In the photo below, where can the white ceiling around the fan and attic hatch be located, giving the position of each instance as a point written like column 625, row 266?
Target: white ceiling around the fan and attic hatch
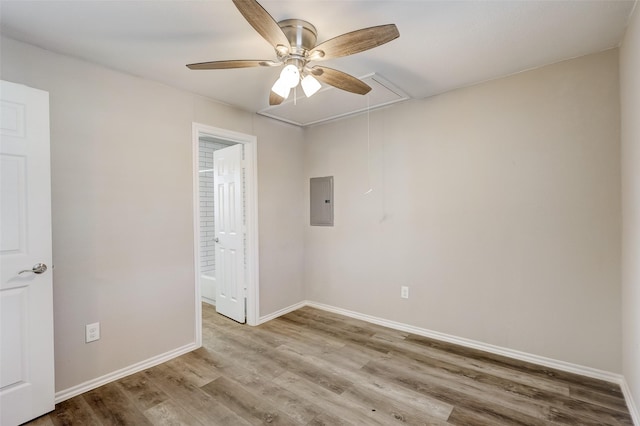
column 443, row 45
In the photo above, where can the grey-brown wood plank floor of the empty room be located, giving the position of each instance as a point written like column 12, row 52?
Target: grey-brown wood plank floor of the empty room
column 311, row 367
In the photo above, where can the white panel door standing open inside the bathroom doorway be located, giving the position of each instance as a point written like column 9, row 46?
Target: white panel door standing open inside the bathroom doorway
column 229, row 224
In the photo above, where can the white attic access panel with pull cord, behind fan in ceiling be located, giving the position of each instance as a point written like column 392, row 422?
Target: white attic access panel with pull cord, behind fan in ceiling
column 330, row 103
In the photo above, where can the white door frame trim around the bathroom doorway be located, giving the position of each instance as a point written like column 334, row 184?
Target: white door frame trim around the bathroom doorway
column 251, row 211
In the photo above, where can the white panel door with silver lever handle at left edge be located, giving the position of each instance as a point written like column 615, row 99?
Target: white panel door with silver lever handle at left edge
column 26, row 297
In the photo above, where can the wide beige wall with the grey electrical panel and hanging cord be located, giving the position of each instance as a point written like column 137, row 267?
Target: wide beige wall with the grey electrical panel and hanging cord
column 498, row 205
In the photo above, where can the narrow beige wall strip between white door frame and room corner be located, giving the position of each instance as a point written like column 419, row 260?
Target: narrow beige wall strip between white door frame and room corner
column 281, row 224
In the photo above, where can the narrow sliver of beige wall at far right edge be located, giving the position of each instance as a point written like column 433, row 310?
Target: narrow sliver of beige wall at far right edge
column 630, row 101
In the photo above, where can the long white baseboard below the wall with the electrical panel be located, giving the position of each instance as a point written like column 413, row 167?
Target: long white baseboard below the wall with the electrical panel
column 498, row 350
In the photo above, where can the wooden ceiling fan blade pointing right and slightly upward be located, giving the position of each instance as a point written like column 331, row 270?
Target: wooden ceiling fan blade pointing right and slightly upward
column 354, row 42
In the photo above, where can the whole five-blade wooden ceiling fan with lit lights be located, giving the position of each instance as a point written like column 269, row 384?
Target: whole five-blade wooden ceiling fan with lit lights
column 294, row 41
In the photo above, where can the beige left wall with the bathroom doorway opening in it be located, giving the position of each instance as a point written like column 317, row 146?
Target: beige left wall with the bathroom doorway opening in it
column 122, row 209
